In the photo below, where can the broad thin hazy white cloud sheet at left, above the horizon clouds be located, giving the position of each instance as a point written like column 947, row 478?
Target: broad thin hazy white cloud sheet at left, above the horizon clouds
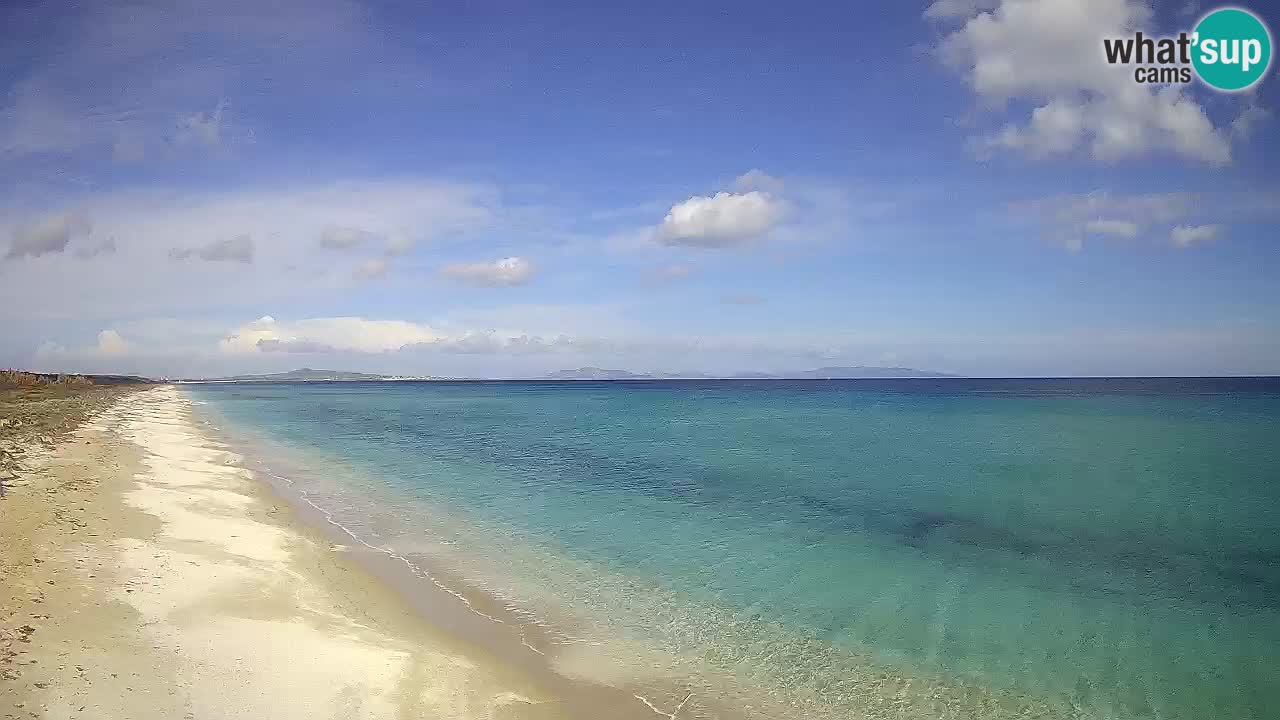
column 284, row 226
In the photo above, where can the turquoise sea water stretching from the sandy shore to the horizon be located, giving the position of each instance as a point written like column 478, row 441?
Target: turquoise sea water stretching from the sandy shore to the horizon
column 852, row 548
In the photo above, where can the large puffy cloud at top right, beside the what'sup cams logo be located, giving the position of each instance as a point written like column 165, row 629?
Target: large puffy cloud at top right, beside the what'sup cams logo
column 1050, row 53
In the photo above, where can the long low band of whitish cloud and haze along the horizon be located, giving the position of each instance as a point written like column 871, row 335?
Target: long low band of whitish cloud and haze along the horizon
column 163, row 348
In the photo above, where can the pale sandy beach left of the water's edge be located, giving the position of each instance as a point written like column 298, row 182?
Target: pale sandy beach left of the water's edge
column 147, row 575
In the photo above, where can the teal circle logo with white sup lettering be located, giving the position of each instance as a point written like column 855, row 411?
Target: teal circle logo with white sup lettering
column 1232, row 49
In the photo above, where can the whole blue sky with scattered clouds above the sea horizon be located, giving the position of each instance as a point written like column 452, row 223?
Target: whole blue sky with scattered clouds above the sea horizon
column 511, row 189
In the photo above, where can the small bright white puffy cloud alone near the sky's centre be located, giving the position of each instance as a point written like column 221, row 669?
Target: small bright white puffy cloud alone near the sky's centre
column 723, row 220
